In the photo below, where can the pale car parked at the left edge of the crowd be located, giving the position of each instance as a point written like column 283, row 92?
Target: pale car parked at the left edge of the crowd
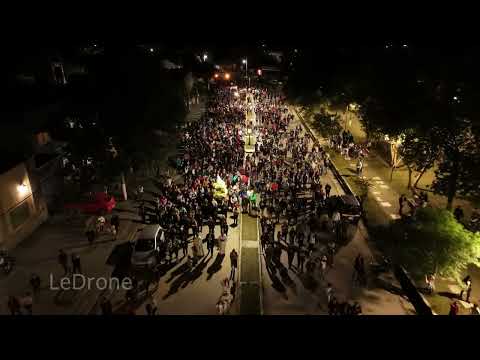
column 146, row 249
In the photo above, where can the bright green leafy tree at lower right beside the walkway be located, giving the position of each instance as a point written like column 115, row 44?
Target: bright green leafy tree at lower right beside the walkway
column 433, row 244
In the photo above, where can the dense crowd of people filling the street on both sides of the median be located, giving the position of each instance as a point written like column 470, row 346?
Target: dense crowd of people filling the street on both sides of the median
column 281, row 182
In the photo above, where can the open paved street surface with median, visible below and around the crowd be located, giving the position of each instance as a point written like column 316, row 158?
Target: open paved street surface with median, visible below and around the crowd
column 180, row 292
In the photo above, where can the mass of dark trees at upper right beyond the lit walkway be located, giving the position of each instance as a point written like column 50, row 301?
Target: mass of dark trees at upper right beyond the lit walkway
column 424, row 99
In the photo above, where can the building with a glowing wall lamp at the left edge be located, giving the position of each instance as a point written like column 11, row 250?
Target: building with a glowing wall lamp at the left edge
column 22, row 206
